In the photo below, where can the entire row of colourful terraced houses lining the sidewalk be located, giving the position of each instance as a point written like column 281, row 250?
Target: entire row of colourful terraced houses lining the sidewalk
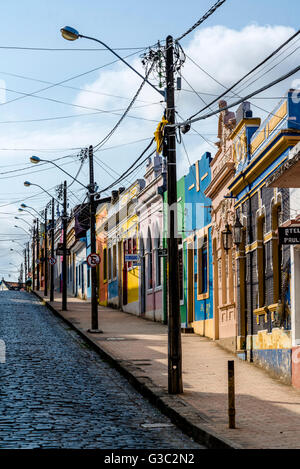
column 238, row 282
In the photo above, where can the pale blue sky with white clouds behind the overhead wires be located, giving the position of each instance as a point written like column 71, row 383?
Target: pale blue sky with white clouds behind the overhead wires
column 227, row 45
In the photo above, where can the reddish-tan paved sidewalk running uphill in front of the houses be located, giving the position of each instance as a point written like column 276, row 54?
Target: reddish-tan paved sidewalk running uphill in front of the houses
column 267, row 412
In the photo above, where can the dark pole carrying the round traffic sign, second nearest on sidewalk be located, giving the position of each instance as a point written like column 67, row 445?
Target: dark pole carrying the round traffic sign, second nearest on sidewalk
column 94, row 300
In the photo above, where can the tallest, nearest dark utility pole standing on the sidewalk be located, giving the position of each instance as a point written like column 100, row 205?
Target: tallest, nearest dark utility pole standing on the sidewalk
column 174, row 322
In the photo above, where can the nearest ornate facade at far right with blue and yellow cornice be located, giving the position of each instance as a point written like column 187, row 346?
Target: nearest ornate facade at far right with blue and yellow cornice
column 264, row 265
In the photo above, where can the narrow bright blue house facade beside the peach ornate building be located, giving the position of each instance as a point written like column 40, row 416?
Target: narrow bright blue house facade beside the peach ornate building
column 197, row 249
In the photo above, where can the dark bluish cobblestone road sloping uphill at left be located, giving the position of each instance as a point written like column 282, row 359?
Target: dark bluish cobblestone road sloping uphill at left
column 55, row 392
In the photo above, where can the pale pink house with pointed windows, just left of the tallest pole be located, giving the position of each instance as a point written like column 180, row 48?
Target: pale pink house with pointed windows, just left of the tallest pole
column 150, row 213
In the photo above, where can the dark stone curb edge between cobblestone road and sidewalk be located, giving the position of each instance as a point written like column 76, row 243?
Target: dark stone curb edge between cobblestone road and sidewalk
column 182, row 414
